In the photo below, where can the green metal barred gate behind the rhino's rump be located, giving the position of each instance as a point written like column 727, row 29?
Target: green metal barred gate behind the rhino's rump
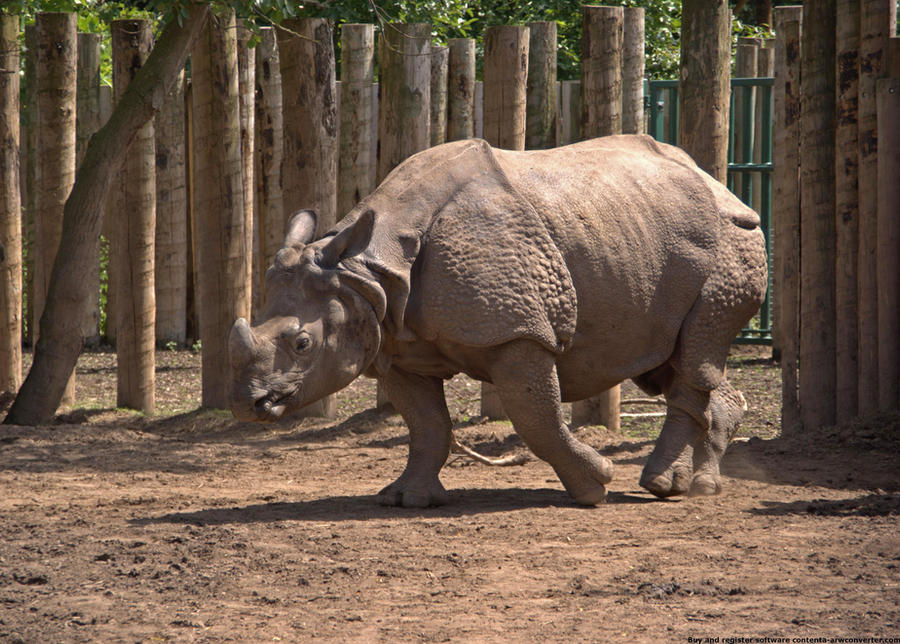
column 749, row 176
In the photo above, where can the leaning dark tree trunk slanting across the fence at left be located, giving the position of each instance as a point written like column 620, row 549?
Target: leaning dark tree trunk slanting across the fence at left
column 57, row 350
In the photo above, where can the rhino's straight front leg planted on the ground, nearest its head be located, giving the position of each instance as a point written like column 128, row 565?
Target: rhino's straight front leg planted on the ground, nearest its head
column 420, row 400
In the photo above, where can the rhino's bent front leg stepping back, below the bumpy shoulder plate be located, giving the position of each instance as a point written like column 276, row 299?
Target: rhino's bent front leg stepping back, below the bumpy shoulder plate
column 524, row 374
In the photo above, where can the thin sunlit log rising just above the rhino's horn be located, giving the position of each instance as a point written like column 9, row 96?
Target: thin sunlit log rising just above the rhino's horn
column 246, row 91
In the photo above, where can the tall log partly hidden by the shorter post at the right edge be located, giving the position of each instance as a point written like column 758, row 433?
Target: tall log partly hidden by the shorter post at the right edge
column 877, row 25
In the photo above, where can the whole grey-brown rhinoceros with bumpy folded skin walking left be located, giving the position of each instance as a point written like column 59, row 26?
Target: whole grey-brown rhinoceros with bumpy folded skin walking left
column 552, row 274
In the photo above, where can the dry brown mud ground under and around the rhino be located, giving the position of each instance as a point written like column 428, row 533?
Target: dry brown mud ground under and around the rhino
column 190, row 526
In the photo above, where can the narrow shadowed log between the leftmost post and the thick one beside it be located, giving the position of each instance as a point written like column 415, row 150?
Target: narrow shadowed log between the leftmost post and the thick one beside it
column 27, row 168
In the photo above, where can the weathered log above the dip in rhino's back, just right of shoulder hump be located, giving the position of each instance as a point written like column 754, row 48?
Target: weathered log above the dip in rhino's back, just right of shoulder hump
column 542, row 102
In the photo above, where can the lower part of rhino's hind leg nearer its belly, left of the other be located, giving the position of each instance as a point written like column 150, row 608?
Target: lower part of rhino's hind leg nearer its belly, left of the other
column 670, row 469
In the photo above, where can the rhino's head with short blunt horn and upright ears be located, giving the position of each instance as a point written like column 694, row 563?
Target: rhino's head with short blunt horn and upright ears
column 315, row 334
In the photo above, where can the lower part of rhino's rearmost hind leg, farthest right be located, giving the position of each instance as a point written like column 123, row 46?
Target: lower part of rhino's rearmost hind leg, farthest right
column 726, row 405
